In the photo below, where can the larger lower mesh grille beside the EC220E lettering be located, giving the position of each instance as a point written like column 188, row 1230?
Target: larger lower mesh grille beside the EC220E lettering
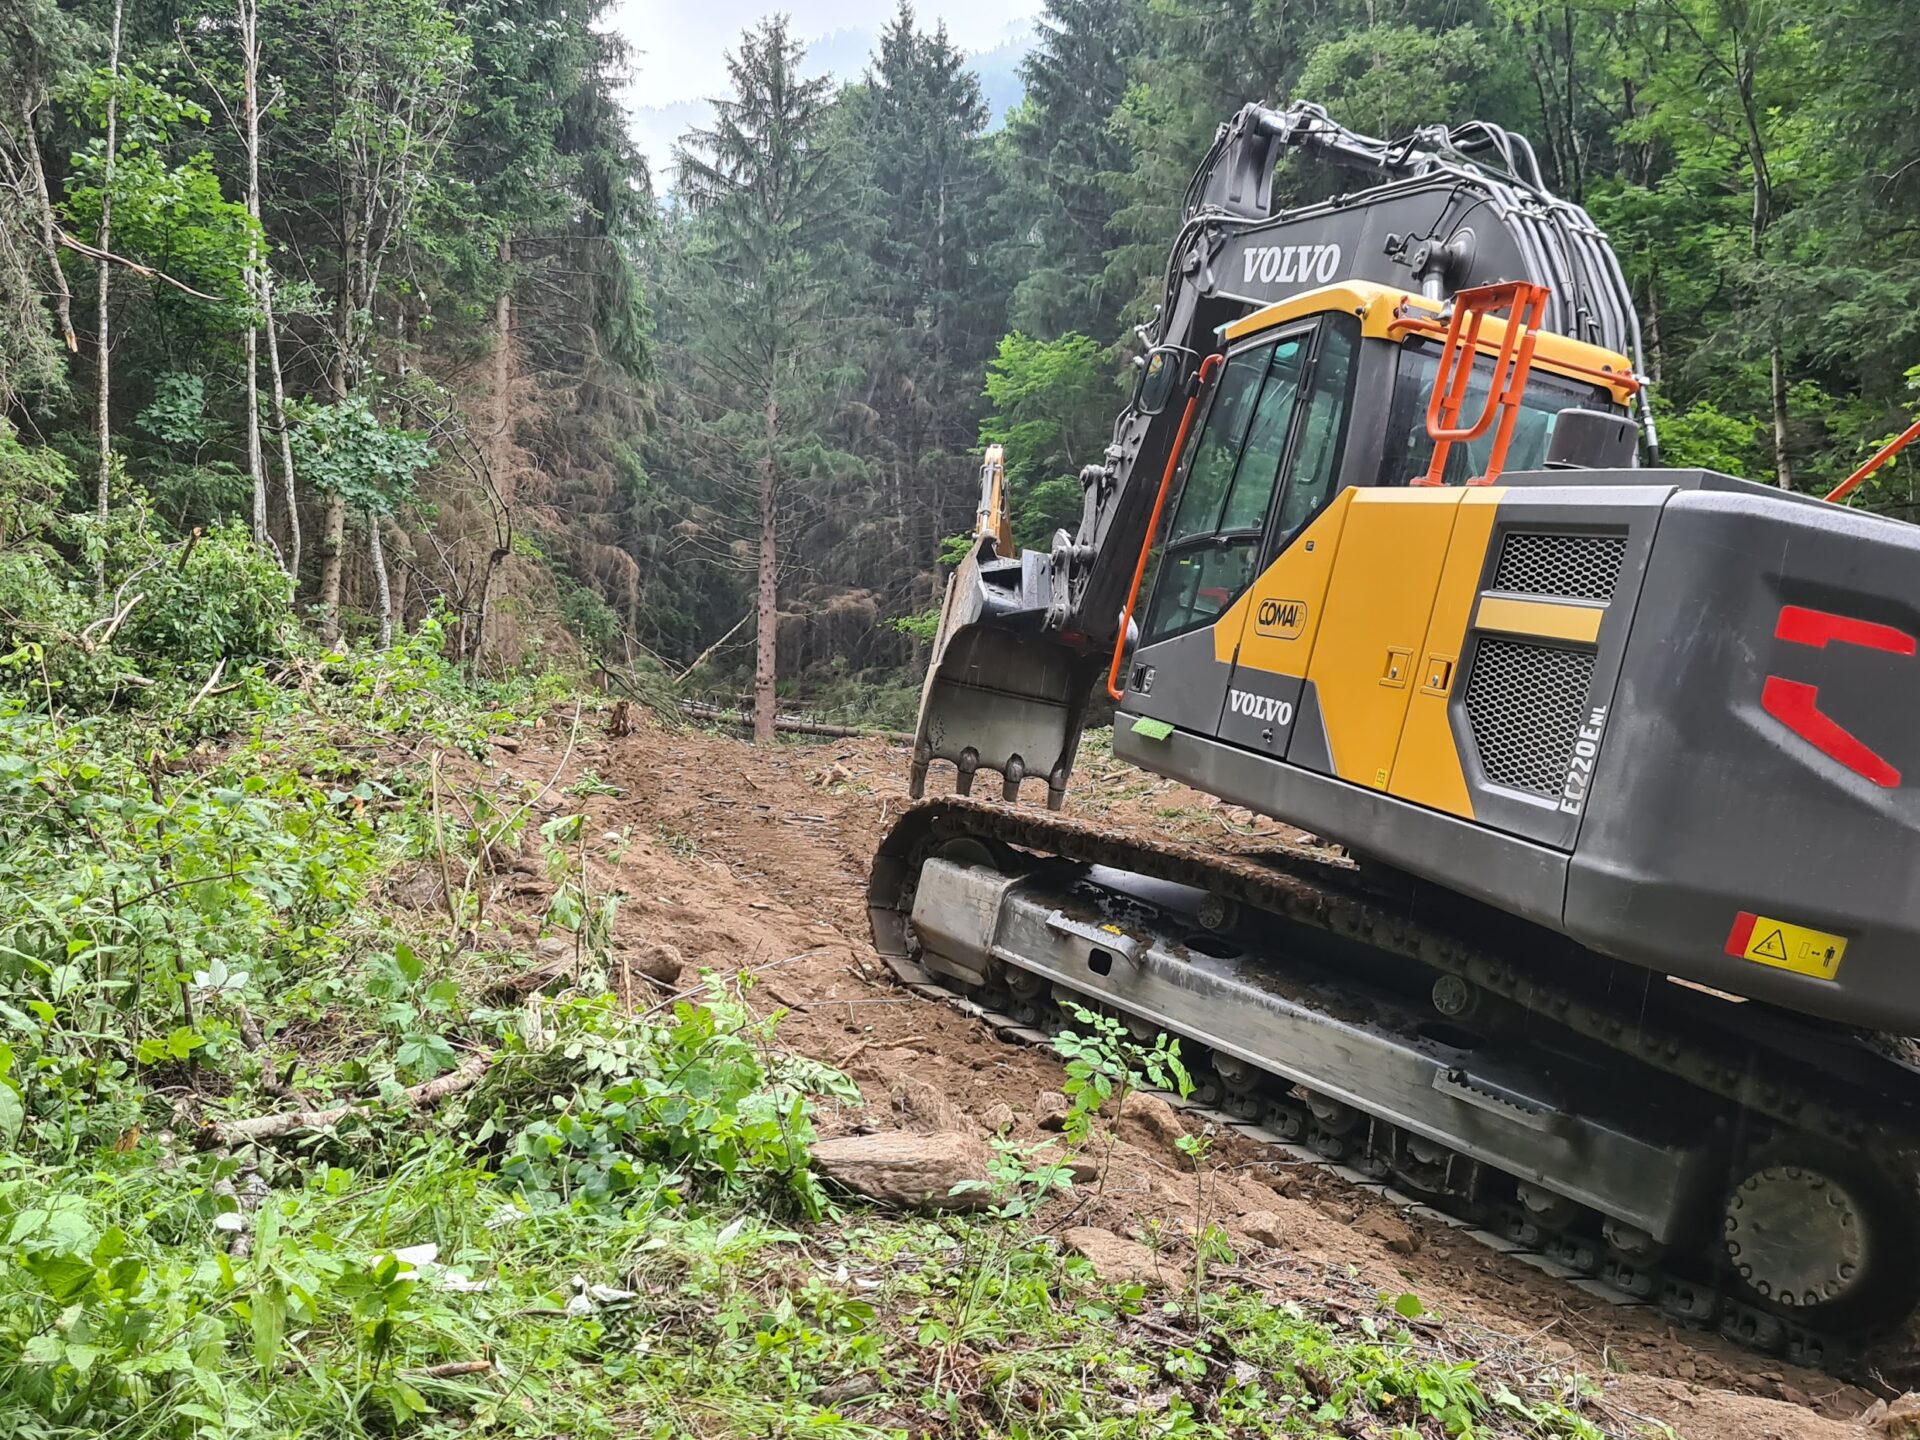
column 1525, row 704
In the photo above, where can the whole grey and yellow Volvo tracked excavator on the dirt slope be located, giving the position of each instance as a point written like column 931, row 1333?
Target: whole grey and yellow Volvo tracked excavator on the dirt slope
column 1614, row 949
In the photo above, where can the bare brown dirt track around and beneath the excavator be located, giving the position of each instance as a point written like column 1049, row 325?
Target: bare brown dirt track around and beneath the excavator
column 756, row 859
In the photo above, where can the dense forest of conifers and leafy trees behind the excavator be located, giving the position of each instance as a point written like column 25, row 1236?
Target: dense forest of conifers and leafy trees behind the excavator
column 385, row 285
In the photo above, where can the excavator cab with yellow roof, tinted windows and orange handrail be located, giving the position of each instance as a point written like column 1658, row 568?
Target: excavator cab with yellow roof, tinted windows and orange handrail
column 1318, row 396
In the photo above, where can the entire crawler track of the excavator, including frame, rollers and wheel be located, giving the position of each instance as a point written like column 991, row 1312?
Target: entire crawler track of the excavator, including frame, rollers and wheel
column 1412, row 1040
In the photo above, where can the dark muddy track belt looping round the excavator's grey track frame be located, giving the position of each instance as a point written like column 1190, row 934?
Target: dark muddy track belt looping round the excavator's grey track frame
column 1625, row 1262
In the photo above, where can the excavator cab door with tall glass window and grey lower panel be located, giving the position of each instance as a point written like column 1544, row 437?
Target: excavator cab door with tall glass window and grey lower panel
column 1218, row 535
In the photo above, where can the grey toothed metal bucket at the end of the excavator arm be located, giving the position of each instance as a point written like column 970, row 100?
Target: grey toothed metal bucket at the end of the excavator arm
column 1001, row 694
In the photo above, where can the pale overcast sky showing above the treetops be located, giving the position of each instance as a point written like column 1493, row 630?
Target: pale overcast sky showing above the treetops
column 679, row 47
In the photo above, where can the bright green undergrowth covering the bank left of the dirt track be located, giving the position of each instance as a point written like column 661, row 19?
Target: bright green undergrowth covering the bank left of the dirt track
column 279, row 1155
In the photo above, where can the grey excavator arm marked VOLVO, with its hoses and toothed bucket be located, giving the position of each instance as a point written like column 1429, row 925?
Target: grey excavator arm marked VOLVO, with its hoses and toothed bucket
column 1026, row 635
